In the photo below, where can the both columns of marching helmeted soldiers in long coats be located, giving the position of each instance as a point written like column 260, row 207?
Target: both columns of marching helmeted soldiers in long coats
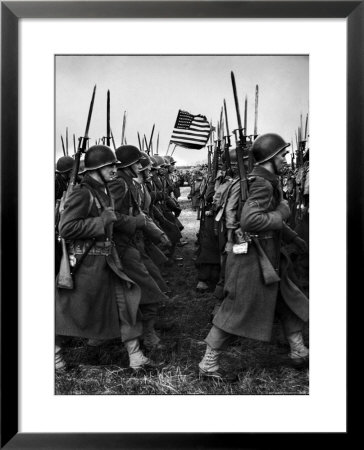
column 120, row 226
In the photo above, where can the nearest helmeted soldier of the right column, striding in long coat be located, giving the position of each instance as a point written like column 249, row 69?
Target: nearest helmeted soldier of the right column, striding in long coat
column 258, row 273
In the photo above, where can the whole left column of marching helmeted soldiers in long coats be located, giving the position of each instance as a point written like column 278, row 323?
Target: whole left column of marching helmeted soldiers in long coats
column 120, row 227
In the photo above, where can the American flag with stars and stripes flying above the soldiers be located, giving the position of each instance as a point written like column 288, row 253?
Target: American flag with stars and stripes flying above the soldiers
column 190, row 131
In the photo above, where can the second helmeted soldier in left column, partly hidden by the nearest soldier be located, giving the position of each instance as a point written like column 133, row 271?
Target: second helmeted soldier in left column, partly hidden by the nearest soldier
column 129, row 230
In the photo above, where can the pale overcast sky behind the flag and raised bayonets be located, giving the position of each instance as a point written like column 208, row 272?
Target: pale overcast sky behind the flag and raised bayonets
column 151, row 89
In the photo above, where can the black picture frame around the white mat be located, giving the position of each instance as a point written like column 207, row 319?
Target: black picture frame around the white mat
column 11, row 12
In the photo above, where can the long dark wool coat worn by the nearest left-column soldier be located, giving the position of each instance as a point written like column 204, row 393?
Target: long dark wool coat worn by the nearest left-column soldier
column 90, row 309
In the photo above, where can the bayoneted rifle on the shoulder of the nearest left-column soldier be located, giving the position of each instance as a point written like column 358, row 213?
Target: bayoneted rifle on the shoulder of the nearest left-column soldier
column 64, row 279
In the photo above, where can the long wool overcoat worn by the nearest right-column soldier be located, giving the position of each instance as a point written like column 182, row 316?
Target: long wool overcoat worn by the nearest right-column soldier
column 249, row 305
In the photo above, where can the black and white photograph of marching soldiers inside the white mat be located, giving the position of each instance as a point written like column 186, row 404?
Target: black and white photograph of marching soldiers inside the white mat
column 181, row 224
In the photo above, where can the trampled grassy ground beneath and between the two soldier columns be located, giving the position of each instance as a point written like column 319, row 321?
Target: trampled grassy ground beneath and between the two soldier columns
column 263, row 368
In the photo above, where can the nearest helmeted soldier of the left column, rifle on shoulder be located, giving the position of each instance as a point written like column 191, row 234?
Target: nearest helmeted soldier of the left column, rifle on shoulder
column 104, row 302
